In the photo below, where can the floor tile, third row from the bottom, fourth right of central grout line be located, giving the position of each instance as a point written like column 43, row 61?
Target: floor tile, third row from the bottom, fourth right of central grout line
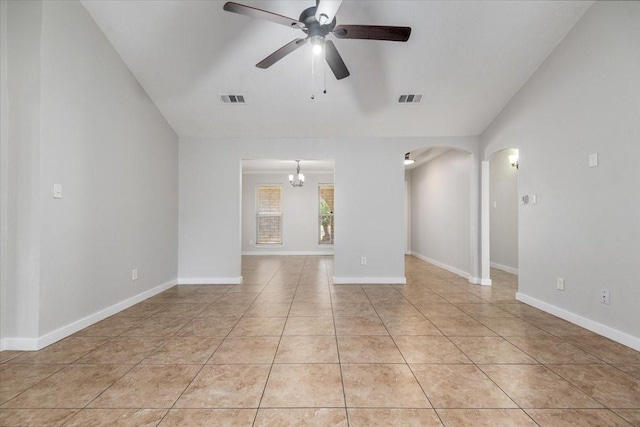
column 552, row 350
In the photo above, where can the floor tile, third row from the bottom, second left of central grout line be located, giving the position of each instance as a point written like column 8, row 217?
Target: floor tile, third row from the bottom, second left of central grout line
column 246, row 350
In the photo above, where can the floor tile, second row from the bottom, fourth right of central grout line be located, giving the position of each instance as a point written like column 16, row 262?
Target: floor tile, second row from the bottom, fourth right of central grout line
column 604, row 383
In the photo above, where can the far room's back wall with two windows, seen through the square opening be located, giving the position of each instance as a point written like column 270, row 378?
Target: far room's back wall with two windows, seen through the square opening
column 300, row 227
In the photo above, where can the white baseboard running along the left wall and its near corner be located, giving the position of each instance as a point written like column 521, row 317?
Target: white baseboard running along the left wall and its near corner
column 72, row 328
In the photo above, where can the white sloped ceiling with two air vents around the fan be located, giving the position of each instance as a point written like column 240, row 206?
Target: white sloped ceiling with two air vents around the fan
column 468, row 58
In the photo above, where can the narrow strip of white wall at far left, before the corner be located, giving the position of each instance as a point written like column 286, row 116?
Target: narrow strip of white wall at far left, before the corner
column 21, row 39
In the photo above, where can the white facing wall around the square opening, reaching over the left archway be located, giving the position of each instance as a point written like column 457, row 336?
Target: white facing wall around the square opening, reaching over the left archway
column 369, row 191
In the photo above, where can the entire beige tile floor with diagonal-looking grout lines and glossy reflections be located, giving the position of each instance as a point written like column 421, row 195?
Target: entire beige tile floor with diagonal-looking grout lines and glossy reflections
column 288, row 348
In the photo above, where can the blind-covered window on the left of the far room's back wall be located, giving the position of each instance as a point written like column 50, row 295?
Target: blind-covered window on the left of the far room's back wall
column 269, row 215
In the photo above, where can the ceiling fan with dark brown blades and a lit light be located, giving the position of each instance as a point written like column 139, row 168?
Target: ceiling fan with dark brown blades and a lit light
column 317, row 22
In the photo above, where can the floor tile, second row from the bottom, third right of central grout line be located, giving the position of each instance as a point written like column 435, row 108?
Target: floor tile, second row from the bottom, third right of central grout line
column 534, row 386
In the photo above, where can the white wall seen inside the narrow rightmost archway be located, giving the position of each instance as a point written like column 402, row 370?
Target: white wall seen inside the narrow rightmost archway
column 504, row 212
